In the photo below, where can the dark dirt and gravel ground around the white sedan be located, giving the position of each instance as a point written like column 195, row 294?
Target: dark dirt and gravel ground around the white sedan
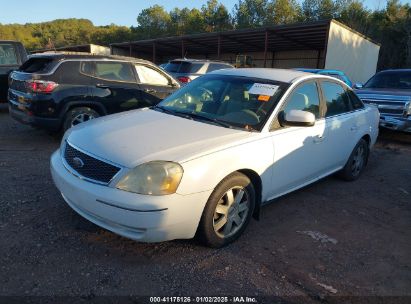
column 330, row 242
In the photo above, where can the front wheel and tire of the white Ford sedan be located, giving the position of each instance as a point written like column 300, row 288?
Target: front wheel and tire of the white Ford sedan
column 228, row 211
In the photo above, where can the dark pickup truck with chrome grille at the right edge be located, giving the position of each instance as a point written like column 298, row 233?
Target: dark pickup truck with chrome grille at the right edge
column 390, row 90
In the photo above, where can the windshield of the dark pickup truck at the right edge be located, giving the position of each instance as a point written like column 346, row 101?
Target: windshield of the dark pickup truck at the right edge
column 390, row 80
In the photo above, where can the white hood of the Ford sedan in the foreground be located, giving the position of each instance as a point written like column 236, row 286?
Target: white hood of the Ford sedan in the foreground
column 134, row 137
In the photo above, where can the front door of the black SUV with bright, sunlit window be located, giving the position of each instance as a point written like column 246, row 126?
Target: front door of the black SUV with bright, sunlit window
column 154, row 84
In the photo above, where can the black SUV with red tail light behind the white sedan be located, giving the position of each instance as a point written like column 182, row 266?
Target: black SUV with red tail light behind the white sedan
column 57, row 91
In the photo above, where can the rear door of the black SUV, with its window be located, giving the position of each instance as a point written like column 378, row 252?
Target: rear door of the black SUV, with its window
column 114, row 84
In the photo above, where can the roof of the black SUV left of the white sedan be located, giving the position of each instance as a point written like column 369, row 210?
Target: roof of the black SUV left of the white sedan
column 78, row 55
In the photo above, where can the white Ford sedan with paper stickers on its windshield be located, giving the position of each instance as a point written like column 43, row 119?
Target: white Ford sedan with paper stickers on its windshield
column 207, row 157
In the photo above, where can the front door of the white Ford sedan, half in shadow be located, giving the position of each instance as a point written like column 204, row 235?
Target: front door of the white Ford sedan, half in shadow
column 299, row 154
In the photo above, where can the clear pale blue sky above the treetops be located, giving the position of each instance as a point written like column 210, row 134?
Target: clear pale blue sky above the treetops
column 103, row 12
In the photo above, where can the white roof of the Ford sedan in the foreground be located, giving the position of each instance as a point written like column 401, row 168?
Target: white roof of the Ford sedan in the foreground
column 282, row 75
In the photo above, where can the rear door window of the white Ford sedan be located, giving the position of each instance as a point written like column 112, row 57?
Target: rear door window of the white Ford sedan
column 336, row 98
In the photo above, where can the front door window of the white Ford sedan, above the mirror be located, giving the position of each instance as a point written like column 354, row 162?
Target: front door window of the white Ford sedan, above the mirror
column 304, row 98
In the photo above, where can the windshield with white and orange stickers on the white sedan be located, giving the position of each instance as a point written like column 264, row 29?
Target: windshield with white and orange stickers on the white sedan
column 232, row 101
